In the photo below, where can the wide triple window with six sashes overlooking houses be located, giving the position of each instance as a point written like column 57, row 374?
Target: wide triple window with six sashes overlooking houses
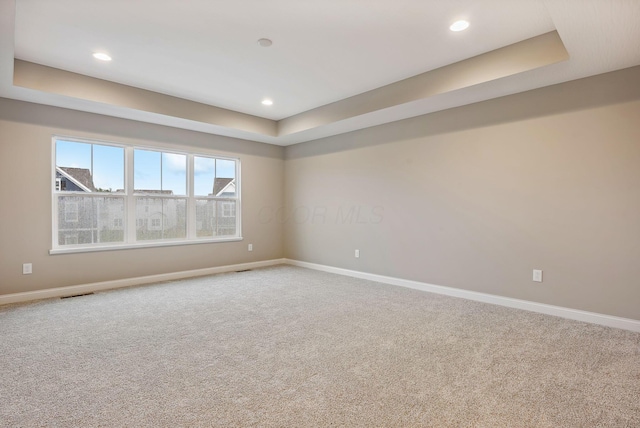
column 118, row 195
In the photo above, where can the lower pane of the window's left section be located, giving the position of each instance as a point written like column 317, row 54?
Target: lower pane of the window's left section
column 90, row 220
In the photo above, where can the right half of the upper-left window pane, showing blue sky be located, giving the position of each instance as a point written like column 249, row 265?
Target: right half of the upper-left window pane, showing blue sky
column 108, row 168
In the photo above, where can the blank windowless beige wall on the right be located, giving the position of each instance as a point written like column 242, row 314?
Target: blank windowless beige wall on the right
column 480, row 206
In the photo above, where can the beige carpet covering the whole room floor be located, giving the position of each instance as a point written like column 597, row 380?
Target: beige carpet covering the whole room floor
column 290, row 347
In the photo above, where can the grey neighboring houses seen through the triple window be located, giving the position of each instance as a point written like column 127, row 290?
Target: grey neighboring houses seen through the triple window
column 99, row 215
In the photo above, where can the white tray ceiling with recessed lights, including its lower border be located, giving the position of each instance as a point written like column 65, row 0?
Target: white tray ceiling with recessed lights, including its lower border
column 323, row 51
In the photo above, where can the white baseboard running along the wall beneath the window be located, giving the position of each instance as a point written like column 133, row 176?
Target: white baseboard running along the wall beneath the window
column 119, row 283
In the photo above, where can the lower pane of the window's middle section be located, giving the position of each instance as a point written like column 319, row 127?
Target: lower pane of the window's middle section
column 160, row 218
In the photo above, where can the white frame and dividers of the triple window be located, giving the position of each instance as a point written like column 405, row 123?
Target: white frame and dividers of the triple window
column 129, row 196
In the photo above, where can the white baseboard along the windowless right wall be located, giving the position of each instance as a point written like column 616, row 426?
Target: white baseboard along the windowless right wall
column 559, row 311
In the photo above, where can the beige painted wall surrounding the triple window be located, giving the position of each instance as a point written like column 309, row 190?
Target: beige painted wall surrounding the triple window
column 25, row 215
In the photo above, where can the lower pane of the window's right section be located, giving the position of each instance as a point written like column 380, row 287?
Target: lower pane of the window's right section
column 215, row 218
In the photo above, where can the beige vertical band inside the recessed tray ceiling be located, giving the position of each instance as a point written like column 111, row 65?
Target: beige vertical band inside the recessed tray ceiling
column 517, row 58
